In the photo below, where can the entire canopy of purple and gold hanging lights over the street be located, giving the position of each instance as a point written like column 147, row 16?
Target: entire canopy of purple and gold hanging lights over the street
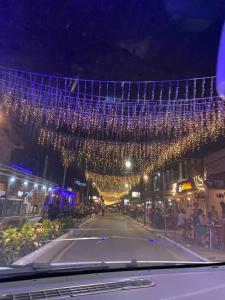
column 102, row 123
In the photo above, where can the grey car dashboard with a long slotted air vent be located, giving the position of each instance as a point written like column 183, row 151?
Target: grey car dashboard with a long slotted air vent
column 172, row 283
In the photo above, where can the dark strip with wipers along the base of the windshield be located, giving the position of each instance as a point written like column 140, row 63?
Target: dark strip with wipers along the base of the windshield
column 41, row 270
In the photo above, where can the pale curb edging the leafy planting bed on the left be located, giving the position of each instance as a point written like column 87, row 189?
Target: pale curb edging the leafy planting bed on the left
column 31, row 257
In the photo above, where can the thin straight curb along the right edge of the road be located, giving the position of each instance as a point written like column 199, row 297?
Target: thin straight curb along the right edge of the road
column 181, row 247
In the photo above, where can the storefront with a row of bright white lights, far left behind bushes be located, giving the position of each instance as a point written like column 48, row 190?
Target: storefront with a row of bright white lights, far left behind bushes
column 21, row 193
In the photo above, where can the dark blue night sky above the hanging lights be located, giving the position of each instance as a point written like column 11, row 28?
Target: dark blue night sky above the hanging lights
column 109, row 39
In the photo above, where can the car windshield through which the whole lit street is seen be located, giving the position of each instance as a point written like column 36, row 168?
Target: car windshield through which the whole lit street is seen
column 112, row 137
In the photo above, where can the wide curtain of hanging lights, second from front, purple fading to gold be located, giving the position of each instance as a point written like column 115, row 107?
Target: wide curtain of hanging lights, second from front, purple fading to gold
column 171, row 122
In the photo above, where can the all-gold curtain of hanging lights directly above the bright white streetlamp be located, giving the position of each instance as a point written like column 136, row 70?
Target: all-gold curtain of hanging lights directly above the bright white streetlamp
column 108, row 156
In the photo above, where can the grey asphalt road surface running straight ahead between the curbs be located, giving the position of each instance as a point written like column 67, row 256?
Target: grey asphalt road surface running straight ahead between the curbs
column 115, row 237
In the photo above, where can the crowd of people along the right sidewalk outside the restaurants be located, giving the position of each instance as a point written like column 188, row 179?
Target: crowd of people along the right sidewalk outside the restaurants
column 193, row 223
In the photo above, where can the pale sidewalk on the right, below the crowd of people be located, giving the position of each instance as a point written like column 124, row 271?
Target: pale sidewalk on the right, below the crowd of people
column 212, row 255
